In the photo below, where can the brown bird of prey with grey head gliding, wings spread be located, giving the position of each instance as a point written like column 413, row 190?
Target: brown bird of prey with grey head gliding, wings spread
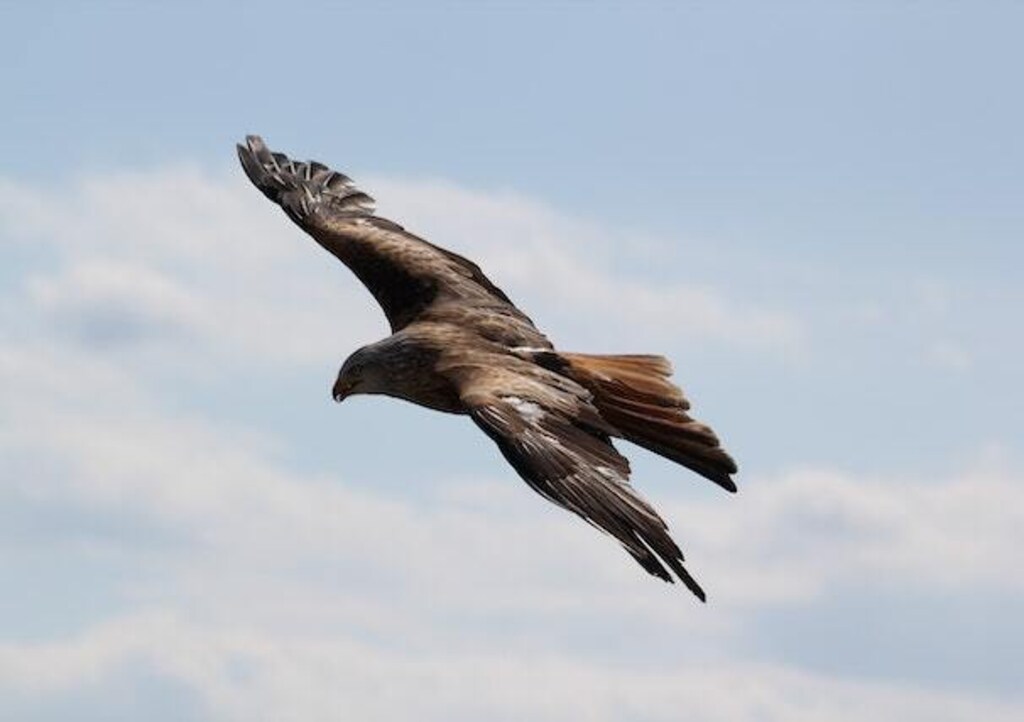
column 460, row 346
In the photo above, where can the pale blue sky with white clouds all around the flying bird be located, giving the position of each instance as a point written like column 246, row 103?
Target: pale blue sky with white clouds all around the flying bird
column 813, row 209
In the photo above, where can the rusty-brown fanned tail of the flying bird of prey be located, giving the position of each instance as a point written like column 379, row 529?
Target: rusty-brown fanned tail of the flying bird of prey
column 633, row 395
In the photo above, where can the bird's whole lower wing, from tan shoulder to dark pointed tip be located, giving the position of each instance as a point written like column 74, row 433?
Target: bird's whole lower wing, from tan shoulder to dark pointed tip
column 548, row 430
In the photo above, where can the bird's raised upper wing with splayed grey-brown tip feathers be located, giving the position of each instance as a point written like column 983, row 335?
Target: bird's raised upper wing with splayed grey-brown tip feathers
column 406, row 274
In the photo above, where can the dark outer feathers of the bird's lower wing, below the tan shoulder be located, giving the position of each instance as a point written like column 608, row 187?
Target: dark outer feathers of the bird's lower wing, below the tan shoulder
column 574, row 464
